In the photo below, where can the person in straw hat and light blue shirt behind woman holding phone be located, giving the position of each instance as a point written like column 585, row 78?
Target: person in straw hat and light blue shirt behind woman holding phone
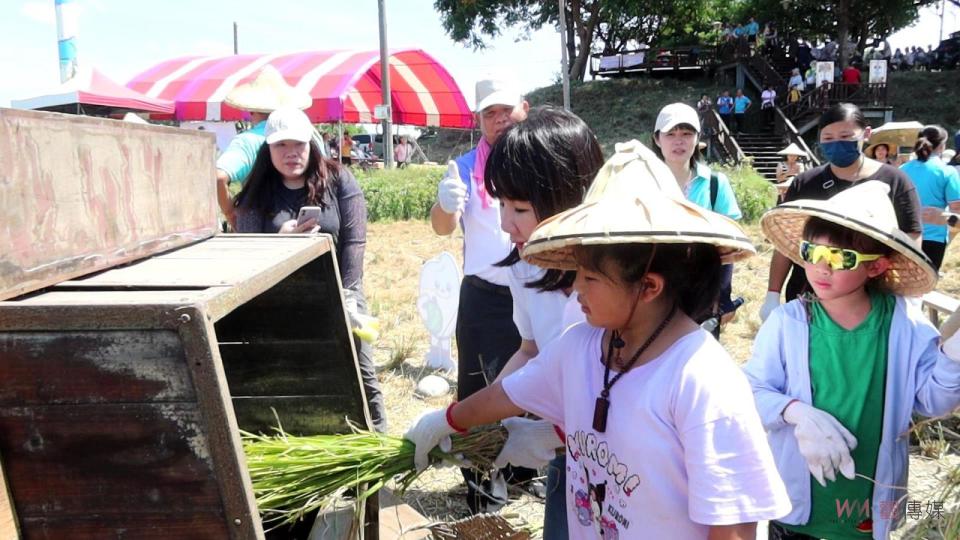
column 267, row 93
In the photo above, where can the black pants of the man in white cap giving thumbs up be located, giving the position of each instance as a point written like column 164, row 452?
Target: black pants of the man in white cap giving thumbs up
column 486, row 339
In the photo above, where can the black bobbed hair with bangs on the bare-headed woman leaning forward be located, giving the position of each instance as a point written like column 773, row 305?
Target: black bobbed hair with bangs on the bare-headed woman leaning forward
column 550, row 159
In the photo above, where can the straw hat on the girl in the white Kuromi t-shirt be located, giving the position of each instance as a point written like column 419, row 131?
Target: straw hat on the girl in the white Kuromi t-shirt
column 634, row 199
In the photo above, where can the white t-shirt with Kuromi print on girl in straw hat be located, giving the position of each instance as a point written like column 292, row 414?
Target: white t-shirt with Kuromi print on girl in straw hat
column 684, row 447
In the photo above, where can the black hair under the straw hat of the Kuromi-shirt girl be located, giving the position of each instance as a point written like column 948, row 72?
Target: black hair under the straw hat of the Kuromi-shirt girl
column 693, row 272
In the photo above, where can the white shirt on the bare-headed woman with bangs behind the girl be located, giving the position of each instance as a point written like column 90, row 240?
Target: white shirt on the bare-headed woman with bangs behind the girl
column 540, row 316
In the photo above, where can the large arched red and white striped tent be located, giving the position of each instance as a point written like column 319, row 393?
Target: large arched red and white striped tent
column 345, row 86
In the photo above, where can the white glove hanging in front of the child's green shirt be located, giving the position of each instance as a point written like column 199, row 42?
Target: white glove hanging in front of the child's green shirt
column 823, row 441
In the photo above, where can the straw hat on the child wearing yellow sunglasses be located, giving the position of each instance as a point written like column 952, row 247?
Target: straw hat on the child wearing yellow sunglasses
column 864, row 208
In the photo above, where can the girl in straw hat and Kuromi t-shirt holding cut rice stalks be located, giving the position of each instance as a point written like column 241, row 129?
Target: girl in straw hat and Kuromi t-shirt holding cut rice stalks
column 662, row 436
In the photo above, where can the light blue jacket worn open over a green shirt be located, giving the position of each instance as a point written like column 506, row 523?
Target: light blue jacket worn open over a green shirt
column 919, row 378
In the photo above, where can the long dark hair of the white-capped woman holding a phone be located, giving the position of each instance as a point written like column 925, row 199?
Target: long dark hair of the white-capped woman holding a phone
column 257, row 192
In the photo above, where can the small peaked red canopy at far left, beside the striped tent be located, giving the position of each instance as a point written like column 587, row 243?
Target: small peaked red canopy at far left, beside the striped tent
column 92, row 88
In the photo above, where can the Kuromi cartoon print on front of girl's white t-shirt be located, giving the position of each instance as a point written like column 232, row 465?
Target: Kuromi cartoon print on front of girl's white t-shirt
column 601, row 485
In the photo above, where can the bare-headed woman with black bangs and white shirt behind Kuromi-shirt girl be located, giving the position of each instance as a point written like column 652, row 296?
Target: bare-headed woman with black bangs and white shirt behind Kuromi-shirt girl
column 537, row 169
